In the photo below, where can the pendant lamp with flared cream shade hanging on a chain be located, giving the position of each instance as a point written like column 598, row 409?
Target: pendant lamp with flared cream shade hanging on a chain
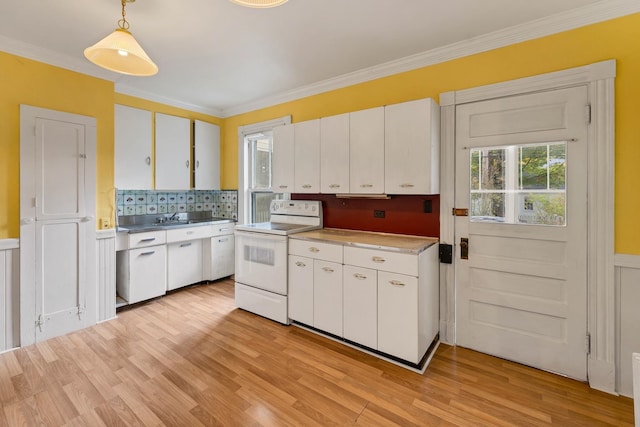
column 120, row 52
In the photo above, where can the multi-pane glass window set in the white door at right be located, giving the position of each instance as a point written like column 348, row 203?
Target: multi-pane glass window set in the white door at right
column 519, row 184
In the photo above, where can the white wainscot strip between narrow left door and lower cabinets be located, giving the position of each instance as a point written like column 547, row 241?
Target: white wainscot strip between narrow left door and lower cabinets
column 106, row 263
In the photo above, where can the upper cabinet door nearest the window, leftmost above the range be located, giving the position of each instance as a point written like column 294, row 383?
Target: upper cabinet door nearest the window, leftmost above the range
column 282, row 160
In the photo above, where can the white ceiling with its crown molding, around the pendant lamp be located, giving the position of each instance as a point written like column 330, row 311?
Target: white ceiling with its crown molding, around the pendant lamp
column 221, row 58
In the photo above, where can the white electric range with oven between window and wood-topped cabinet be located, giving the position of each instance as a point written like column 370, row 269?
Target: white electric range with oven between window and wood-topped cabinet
column 262, row 253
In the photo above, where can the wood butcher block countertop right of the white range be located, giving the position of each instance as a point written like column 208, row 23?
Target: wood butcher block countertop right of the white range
column 369, row 240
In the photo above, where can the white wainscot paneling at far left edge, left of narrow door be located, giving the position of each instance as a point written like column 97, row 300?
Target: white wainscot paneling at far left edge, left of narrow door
column 9, row 294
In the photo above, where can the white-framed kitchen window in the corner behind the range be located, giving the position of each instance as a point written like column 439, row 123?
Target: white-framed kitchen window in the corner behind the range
column 256, row 148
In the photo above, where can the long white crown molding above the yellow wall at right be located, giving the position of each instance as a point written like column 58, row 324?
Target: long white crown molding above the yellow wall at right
column 575, row 18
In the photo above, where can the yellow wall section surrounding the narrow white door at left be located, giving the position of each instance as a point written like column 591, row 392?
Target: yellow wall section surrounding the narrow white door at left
column 33, row 83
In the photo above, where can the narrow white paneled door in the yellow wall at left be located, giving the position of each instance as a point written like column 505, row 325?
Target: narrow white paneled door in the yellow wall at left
column 57, row 230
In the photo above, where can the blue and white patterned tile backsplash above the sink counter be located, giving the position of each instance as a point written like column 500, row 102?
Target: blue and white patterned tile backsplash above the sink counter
column 221, row 203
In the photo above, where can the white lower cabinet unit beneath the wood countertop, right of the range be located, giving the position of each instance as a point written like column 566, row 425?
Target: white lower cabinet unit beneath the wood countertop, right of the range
column 385, row 300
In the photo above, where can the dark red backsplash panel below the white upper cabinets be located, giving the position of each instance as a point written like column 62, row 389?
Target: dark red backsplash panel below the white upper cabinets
column 403, row 214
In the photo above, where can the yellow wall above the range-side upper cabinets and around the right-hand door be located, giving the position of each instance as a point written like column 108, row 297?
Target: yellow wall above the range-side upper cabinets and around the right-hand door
column 616, row 39
